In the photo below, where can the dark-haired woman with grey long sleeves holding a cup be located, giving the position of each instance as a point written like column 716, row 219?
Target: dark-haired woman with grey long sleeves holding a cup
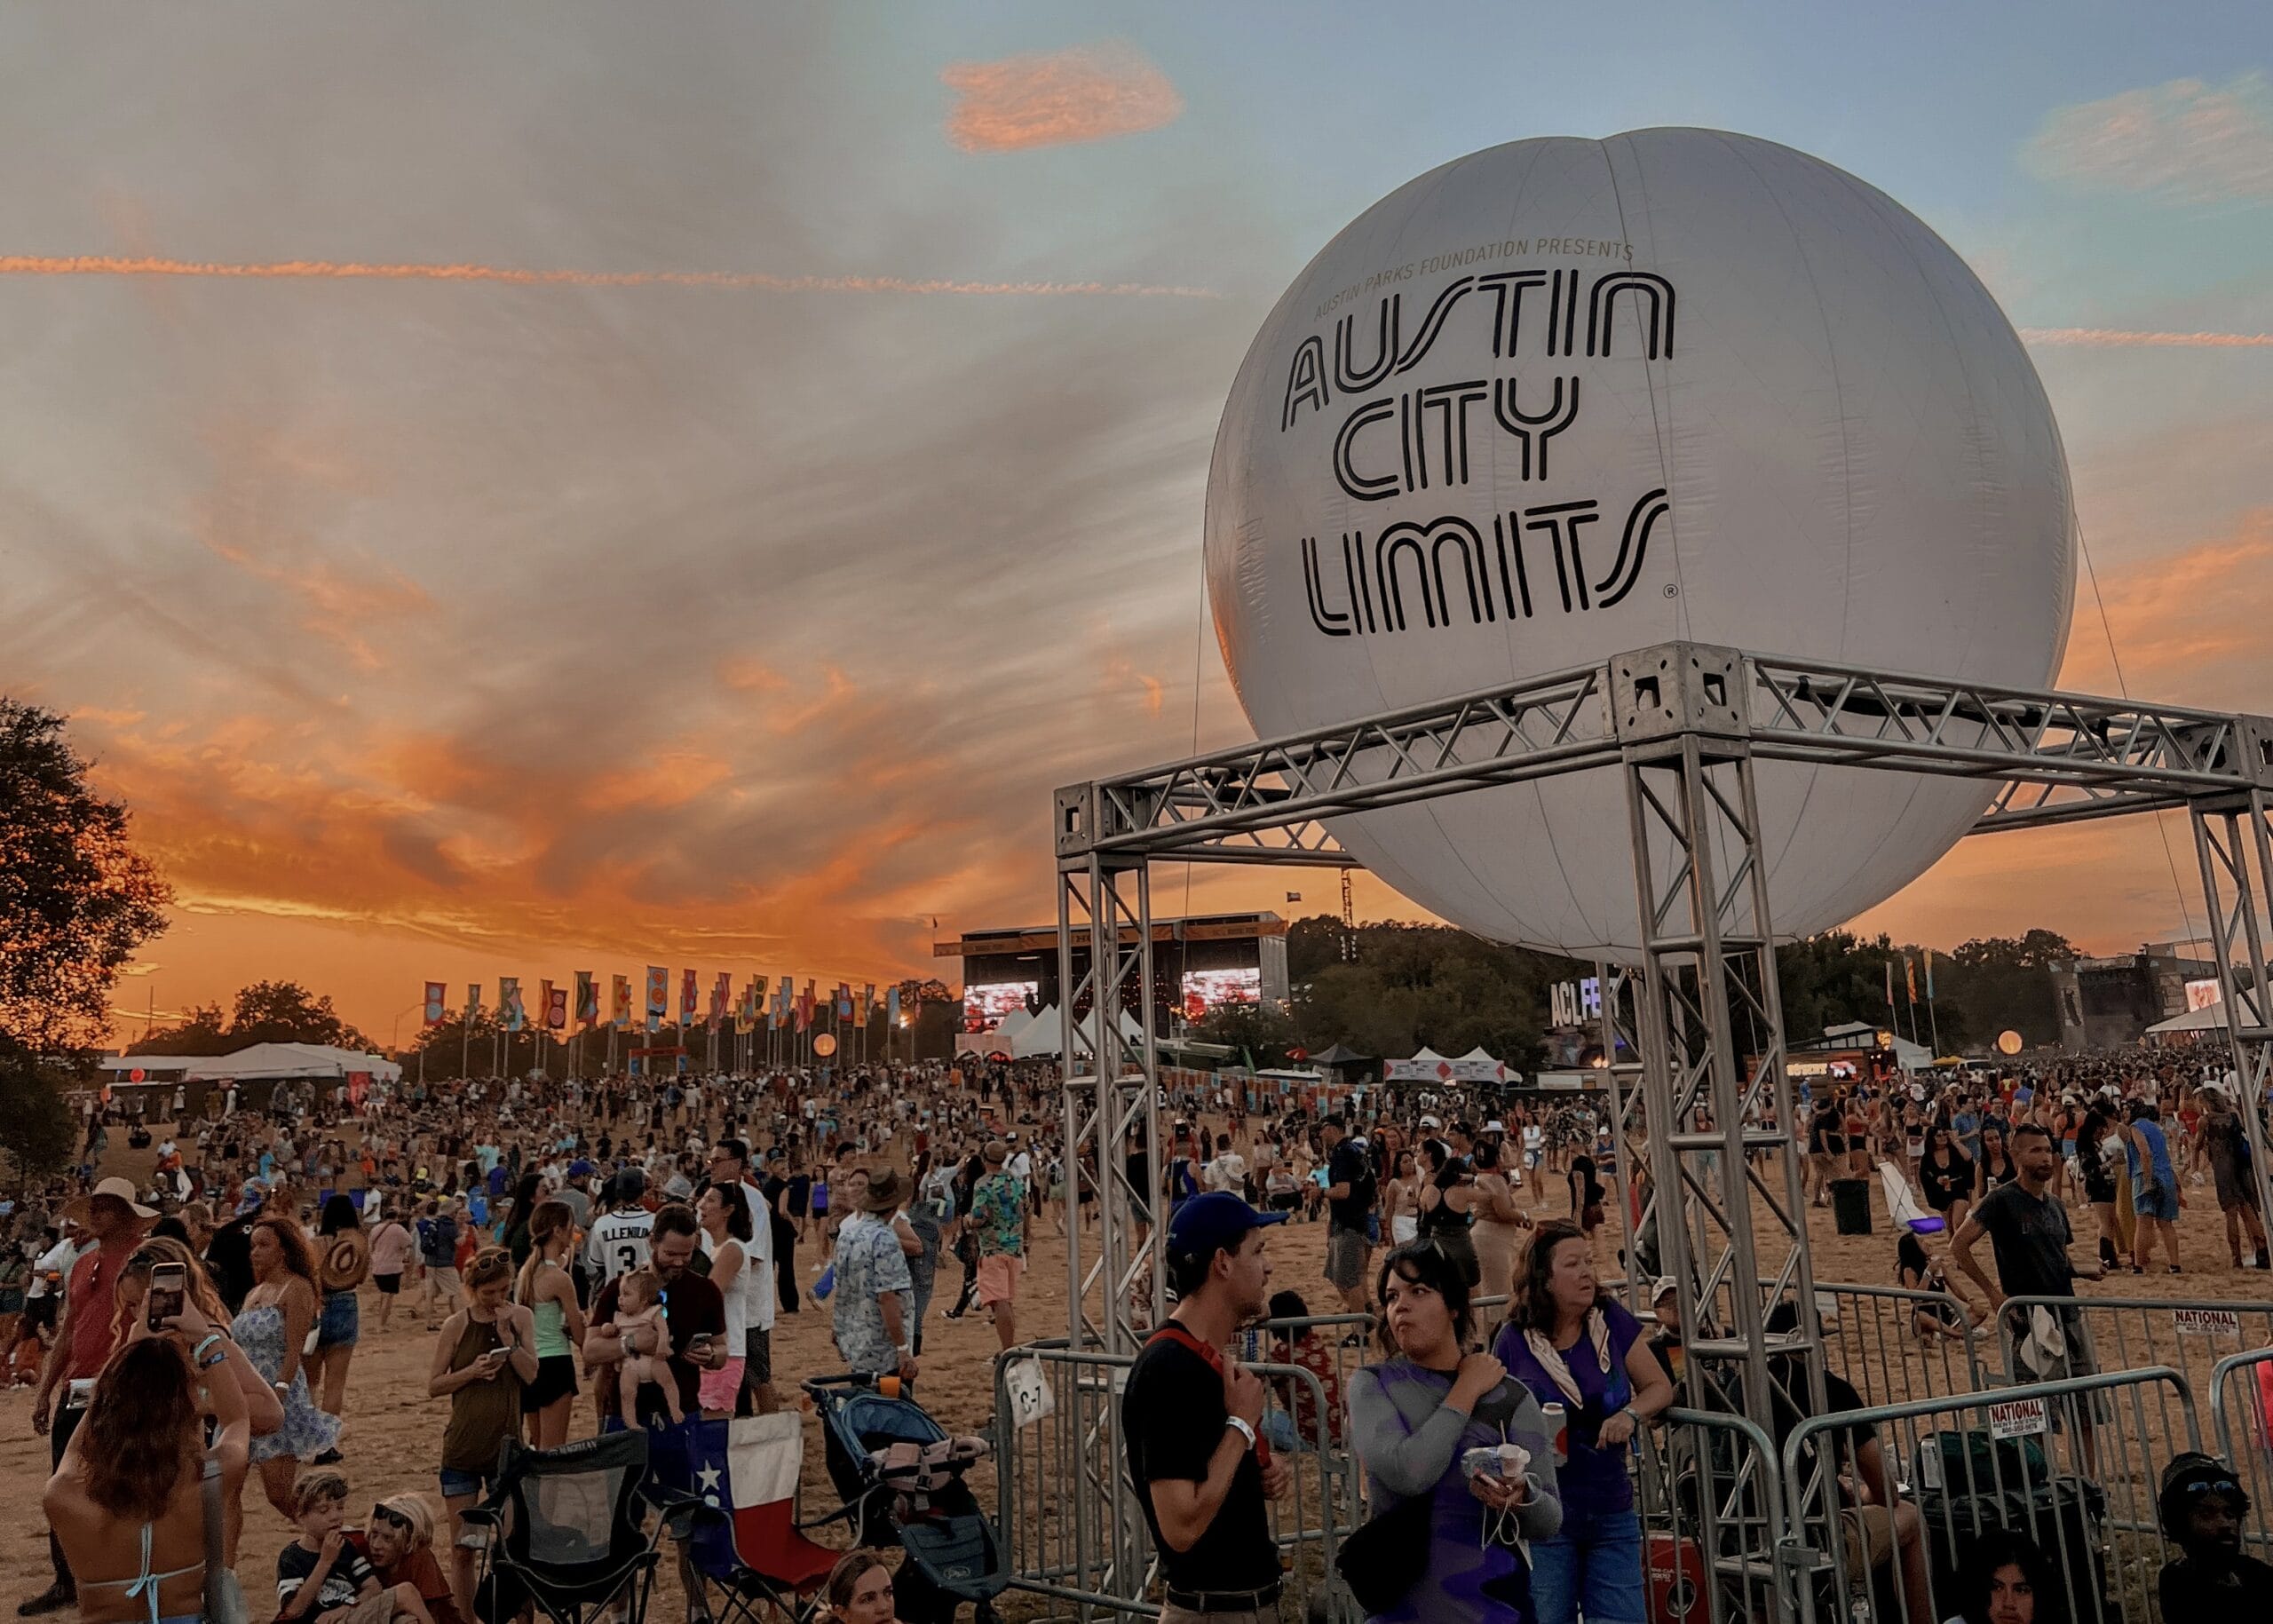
column 1417, row 1416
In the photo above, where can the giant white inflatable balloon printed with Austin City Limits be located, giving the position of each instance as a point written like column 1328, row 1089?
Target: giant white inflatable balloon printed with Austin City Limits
column 1565, row 399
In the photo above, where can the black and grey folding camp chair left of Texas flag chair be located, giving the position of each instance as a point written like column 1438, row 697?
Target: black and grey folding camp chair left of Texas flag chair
column 567, row 1530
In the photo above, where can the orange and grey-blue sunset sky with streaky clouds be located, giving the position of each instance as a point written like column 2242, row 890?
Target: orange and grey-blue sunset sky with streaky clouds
column 542, row 486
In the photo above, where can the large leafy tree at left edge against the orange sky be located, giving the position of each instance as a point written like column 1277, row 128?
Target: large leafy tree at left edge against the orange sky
column 76, row 900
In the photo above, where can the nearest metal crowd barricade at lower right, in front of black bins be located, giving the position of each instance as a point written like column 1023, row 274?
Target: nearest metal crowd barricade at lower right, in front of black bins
column 2038, row 1461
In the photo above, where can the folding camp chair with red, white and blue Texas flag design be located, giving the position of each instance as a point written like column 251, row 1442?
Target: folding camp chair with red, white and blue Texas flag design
column 731, row 1491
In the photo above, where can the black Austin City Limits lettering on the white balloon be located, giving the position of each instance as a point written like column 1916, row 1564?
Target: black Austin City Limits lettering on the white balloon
column 1410, row 451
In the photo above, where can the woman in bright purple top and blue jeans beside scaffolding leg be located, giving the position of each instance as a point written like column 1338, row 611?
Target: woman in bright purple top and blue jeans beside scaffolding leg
column 1572, row 1345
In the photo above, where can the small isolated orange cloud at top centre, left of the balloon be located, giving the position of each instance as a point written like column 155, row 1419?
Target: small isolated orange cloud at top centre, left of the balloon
column 1058, row 99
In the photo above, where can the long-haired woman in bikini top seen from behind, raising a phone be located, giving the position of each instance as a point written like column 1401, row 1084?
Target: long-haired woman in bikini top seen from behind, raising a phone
column 128, row 1502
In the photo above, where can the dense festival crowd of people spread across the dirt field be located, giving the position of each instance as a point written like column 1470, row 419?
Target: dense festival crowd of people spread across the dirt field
column 619, row 1252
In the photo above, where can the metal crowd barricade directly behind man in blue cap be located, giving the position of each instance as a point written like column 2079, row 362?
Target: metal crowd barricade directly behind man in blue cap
column 1069, row 1514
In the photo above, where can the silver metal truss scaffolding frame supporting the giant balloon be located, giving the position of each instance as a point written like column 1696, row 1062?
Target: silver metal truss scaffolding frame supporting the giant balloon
column 1683, row 724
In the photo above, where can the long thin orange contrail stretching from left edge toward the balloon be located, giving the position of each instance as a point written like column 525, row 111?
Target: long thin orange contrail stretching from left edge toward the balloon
column 733, row 281
